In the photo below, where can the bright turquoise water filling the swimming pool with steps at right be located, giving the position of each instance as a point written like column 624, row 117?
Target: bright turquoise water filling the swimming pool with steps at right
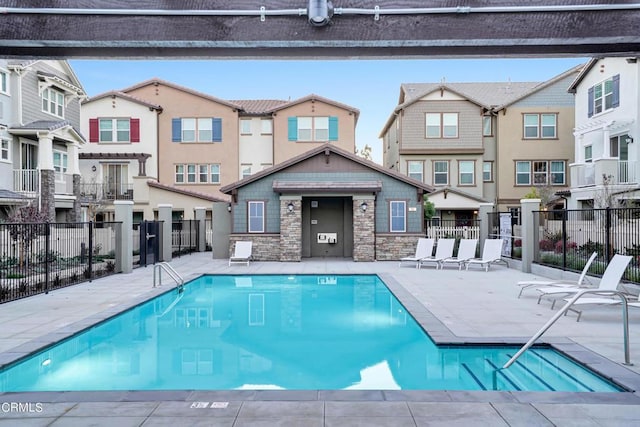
column 282, row 332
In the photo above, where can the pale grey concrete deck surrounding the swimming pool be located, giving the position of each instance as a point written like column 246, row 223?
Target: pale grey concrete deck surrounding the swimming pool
column 456, row 306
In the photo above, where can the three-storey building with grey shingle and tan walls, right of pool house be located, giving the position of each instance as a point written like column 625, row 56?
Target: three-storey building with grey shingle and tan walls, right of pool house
column 482, row 142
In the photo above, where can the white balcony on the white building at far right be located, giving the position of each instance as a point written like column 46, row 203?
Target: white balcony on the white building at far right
column 590, row 174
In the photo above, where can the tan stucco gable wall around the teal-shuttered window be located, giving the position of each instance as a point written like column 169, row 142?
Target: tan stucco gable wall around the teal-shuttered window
column 285, row 149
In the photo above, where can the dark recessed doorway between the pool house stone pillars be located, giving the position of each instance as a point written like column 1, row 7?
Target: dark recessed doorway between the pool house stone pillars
column 327, row 227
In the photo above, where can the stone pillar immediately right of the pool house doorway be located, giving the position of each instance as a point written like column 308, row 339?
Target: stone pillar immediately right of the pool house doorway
column 364, row 225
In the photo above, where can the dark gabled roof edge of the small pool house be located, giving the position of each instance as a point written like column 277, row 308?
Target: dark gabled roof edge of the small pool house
column 325, row 148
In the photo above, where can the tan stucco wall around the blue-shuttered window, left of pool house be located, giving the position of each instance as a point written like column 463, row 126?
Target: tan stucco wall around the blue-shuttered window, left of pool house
column 179, row 104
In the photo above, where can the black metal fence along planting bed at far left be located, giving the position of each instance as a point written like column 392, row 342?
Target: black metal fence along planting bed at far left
column 37, row 258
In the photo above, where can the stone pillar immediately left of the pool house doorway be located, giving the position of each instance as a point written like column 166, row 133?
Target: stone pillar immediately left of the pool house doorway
column 290, row 228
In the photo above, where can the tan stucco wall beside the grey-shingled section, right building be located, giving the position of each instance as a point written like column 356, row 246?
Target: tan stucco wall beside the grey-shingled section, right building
column 512, row 147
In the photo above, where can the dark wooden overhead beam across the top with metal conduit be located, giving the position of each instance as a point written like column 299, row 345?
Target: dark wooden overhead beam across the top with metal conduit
column 140, row 31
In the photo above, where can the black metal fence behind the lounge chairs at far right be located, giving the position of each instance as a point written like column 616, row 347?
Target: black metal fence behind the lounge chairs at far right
column 567, row 238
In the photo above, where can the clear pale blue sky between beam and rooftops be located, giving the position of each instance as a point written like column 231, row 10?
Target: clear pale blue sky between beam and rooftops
column 371, row 86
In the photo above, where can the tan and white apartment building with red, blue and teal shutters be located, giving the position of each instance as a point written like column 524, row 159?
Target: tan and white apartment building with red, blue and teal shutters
column 190, row 144
